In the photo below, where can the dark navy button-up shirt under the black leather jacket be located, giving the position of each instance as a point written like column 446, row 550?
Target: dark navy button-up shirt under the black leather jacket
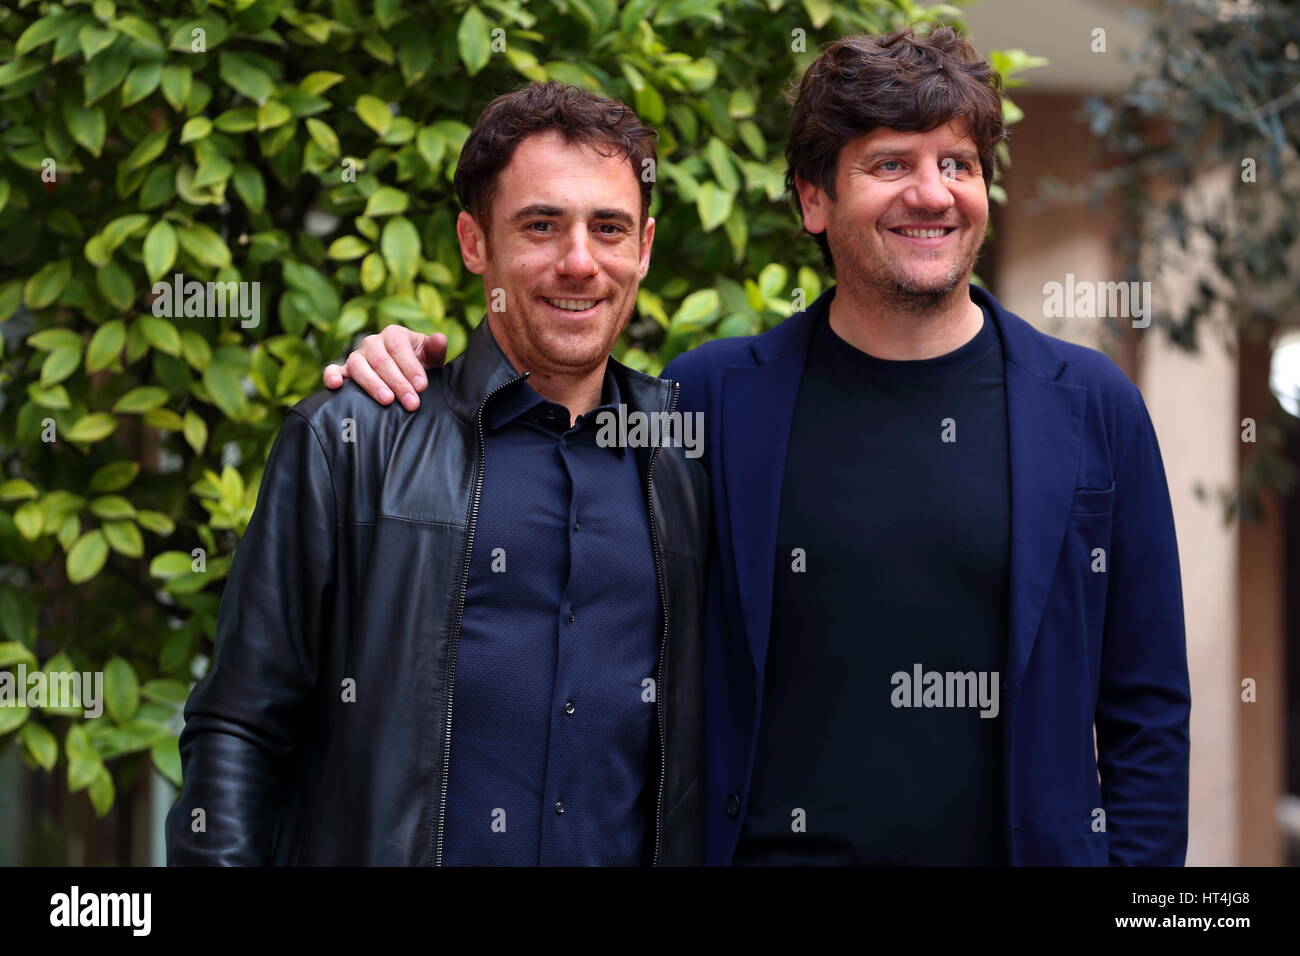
column 553, row 725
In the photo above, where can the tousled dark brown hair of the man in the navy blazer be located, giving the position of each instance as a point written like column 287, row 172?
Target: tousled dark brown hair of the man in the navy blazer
column 900, row 81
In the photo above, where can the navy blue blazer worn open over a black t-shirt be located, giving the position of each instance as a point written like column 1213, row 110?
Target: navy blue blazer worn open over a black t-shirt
column 1087, row 648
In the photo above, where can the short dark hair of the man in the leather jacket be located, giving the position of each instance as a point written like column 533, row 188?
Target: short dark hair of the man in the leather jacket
column 579, row 115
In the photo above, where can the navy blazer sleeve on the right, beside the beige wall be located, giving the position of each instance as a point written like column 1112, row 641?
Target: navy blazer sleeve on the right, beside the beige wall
column 1145, row 699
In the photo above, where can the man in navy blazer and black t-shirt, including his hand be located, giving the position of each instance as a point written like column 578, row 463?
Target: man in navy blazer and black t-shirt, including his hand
column 946, row 617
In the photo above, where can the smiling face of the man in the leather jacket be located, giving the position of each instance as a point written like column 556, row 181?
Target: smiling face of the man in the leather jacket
column 567, row 253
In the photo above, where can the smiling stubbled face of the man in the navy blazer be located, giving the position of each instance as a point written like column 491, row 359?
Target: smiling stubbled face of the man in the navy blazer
column 909, row 215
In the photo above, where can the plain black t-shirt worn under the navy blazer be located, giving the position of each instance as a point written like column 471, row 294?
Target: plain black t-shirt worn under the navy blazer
column 890, row 618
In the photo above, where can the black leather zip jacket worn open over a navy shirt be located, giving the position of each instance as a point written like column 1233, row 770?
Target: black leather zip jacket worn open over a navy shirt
column 320, row 734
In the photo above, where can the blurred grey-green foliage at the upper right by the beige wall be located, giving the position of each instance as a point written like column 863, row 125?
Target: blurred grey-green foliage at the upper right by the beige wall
column 1206, row 146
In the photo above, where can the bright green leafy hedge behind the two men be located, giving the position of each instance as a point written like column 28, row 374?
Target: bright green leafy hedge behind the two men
column 309, row 148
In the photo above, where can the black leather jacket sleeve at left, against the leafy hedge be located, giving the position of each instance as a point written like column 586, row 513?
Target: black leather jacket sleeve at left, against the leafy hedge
column 245, row 717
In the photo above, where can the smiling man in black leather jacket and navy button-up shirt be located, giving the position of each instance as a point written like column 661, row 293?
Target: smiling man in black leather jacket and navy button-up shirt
column 323, row 733
